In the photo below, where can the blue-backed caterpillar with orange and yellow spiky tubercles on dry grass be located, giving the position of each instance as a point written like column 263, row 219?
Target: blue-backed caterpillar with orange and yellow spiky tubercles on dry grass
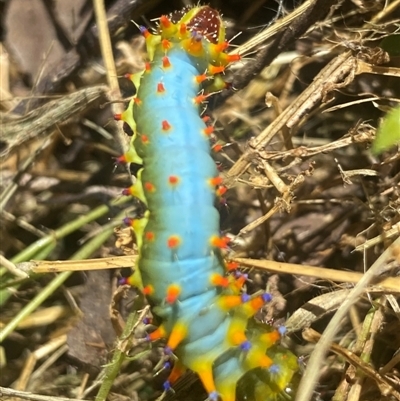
column 204, row 312
